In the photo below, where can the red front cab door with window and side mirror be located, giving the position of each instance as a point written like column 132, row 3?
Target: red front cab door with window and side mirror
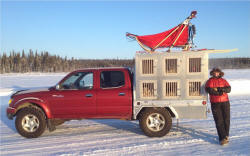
column 75, row 97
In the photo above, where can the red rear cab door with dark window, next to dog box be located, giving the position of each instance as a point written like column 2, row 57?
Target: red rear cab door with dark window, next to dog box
column 114, row 97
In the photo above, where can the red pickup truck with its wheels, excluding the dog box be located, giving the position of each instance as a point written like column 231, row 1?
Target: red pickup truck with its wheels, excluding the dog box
column 89, row 93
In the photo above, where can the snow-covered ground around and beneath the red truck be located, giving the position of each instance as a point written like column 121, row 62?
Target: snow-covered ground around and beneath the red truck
column 116, row 137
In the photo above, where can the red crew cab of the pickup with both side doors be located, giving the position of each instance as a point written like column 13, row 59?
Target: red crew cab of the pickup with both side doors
column 93, row 93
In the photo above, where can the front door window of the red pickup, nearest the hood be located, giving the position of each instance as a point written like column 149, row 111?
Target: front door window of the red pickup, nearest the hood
column 81, row 80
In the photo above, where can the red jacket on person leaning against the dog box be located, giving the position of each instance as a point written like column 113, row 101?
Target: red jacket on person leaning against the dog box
column 219, row 95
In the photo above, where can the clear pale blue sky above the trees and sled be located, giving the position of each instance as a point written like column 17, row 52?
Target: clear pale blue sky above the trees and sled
column 96, row 29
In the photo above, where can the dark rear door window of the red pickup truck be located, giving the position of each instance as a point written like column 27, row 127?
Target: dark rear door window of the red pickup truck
column 112, row 79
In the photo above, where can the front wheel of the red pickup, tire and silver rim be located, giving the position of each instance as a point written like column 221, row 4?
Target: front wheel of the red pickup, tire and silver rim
column 30, row 122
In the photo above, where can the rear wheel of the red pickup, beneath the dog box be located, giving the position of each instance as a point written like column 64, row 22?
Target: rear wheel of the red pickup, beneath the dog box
column 155, row 122
